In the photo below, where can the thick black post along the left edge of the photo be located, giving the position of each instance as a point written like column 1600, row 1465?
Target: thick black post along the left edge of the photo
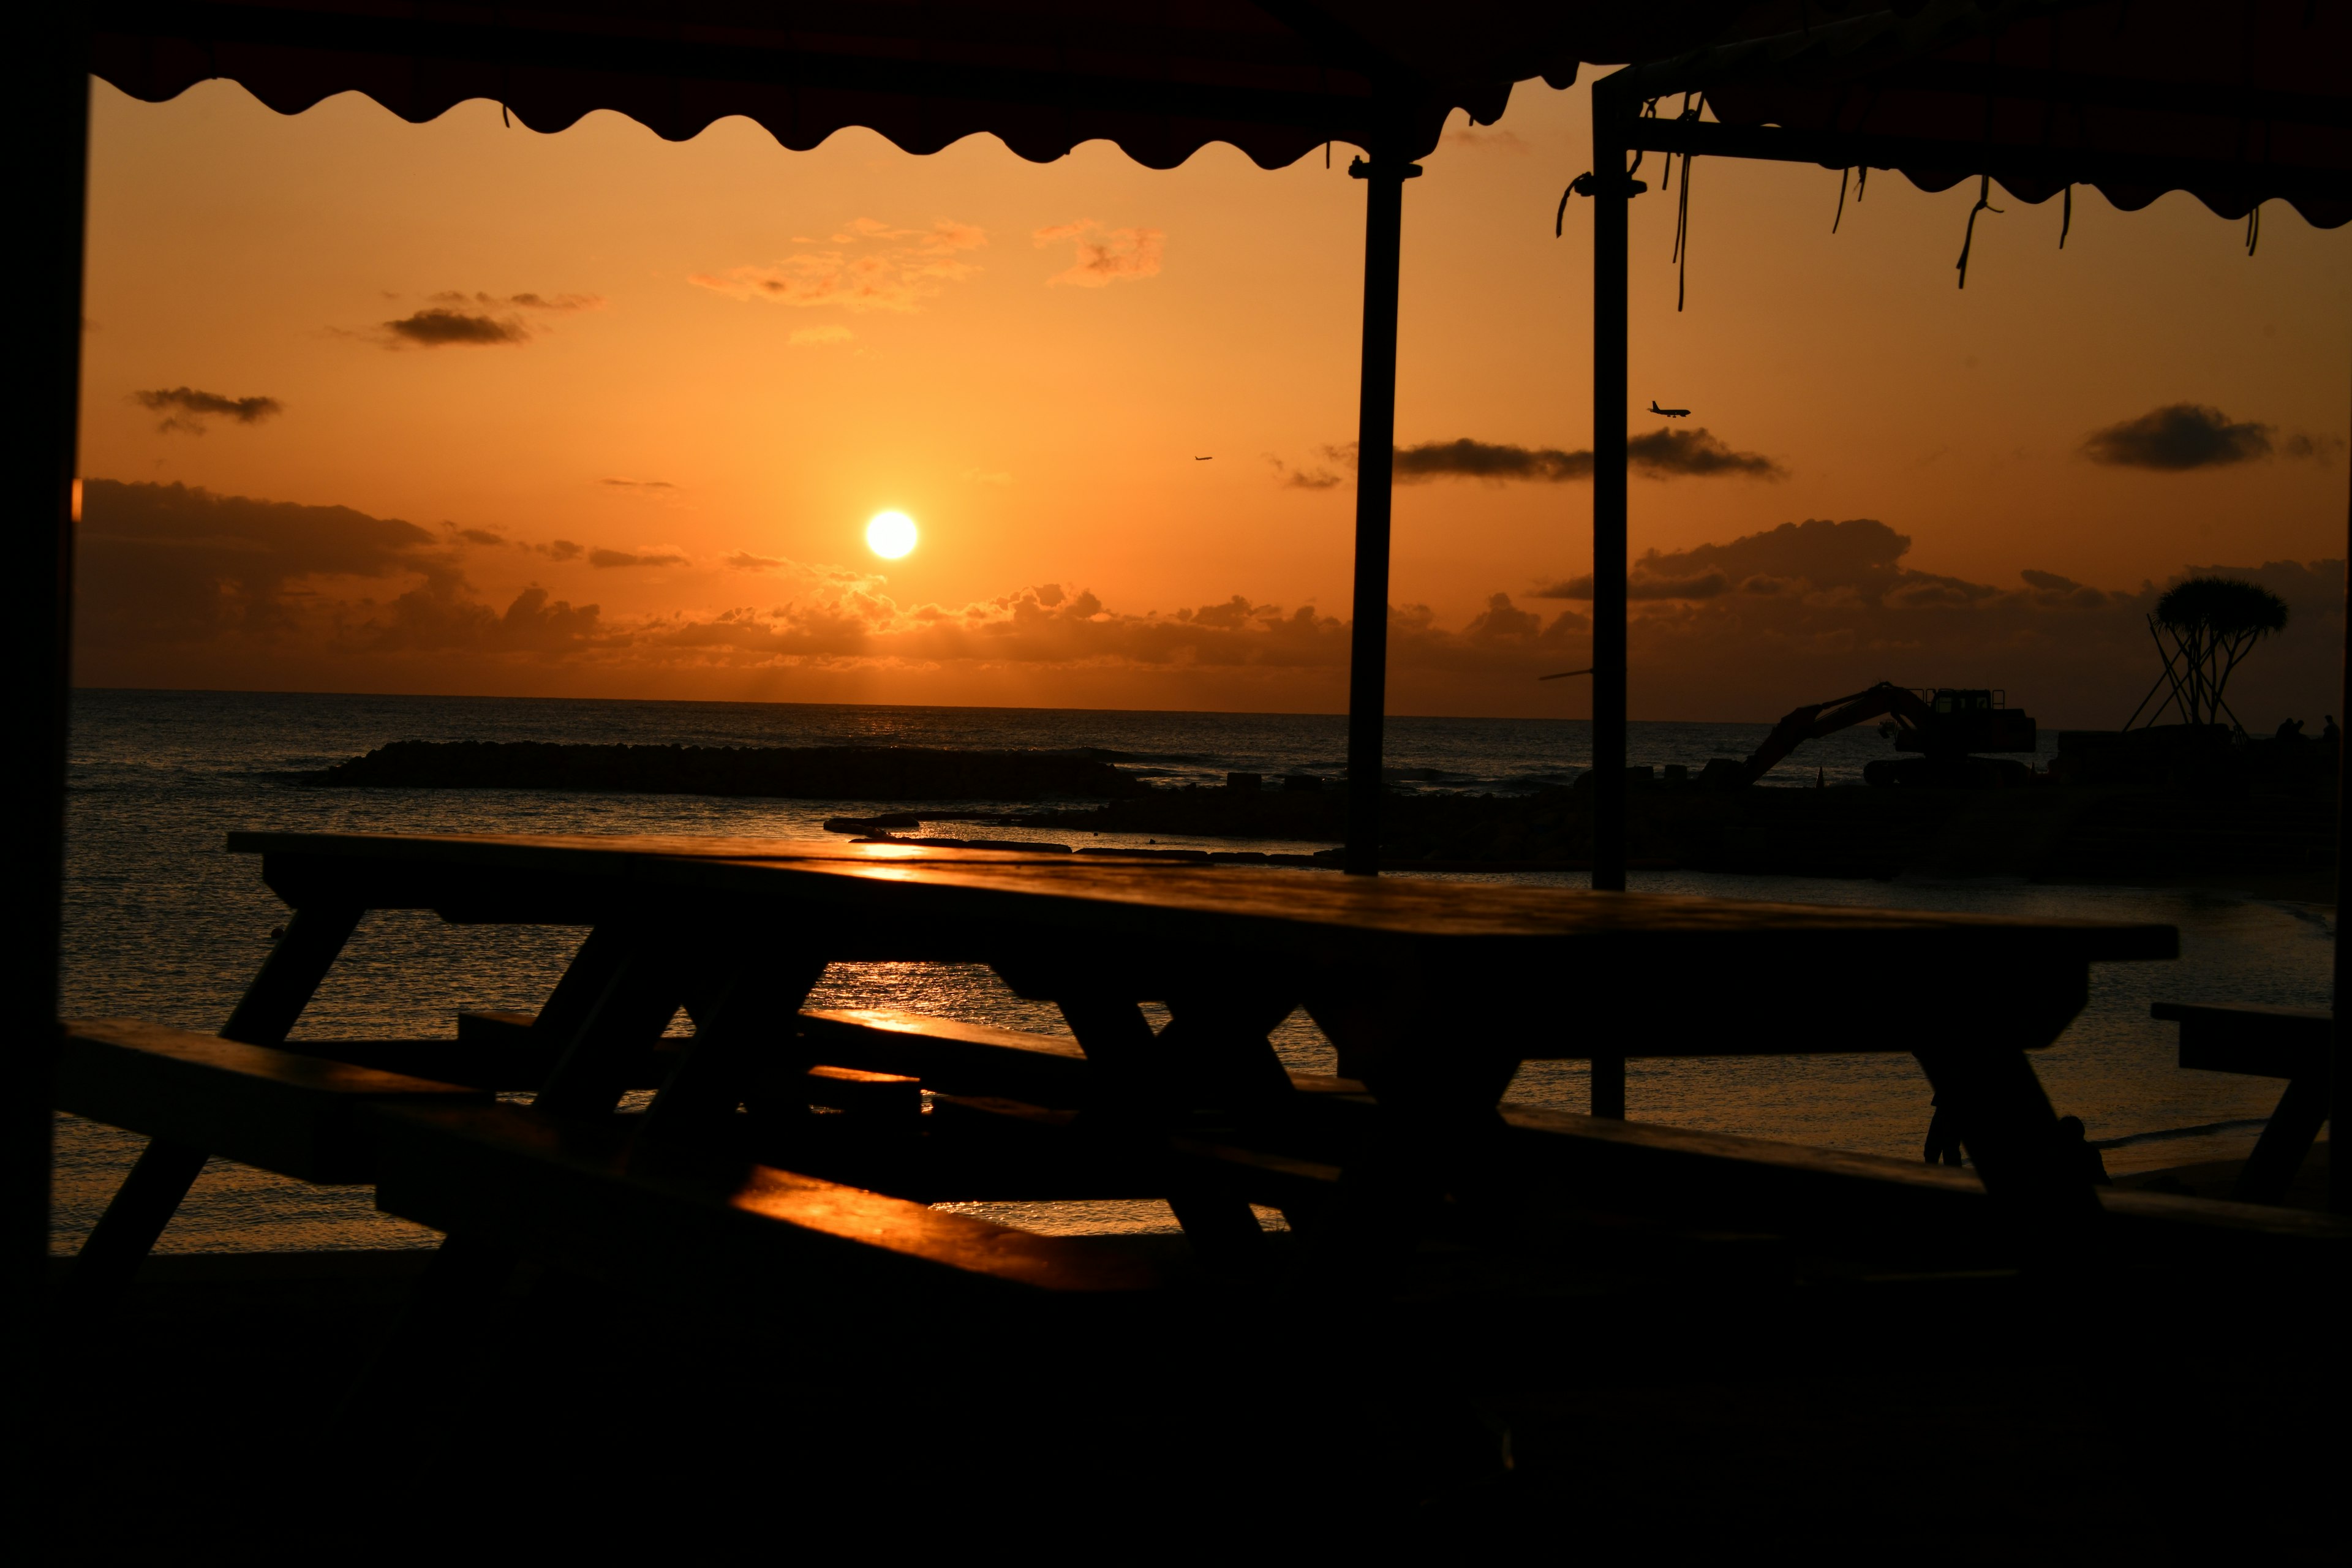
column 51, row 116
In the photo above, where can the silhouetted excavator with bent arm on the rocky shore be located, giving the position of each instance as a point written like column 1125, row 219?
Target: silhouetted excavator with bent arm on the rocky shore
column 1946, row 725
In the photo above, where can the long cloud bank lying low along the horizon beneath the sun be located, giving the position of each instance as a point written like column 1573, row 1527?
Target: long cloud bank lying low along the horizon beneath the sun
column 187, row 589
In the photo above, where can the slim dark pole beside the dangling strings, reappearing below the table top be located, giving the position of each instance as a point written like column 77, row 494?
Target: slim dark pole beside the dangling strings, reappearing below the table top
column 1610, row 199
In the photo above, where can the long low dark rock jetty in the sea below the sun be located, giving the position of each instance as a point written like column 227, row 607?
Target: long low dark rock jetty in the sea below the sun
column 784, row 772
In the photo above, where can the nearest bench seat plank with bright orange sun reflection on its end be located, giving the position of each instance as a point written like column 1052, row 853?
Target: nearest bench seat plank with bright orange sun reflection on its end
column 688, row 1228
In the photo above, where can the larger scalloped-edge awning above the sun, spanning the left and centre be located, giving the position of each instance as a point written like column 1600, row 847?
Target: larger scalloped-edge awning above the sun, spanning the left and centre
column 1274, row 79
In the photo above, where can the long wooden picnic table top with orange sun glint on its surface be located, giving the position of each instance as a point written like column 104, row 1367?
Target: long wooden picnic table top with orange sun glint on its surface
column 1107, row 899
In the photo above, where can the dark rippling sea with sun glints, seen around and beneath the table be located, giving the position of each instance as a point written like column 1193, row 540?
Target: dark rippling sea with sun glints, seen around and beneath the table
column 166, row 925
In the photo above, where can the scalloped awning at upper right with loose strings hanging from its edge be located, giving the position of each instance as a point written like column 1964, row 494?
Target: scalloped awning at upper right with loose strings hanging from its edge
column 2238, row 102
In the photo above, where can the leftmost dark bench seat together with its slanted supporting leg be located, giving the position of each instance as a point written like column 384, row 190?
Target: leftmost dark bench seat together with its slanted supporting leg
column 199, row 1097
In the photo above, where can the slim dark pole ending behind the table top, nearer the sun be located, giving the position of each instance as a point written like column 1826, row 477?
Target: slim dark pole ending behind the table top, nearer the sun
column 1375, row 462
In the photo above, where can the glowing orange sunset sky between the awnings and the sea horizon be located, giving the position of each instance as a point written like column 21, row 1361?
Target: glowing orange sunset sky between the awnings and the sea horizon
column 1029, row 359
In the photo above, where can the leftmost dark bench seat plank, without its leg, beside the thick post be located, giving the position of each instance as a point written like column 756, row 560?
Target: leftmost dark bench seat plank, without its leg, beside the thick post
column 279, row 1111
